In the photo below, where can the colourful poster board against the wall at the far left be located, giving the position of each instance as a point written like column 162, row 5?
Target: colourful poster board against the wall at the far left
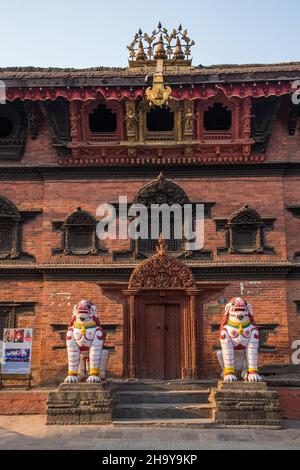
column 16, row 351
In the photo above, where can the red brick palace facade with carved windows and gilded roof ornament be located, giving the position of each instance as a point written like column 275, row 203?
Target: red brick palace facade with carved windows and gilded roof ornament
column 227, row 137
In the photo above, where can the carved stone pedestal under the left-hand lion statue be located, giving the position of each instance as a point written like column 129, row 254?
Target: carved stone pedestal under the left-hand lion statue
column 80, row 404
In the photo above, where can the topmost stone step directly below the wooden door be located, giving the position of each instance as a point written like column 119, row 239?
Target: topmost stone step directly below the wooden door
column 156, row 385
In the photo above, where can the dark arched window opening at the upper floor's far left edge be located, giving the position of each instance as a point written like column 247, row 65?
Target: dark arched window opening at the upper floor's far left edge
column 13, row 130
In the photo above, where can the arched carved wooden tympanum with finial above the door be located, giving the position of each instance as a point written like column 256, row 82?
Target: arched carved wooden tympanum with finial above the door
column 162, row 272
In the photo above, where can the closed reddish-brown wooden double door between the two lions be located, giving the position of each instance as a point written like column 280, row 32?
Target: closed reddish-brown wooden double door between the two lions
column 160, row 339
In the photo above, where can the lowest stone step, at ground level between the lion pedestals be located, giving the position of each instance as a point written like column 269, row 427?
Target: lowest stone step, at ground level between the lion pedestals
column 162, row 423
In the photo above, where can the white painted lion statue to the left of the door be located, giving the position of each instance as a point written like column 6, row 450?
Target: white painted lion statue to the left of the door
column 85, row 339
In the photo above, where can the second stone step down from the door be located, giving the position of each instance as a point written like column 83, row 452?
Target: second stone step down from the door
column 163, row 397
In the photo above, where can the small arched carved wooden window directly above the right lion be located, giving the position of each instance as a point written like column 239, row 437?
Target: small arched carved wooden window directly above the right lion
column 245, row 231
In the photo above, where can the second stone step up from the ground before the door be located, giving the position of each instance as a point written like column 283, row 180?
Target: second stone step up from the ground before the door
column 155, row 411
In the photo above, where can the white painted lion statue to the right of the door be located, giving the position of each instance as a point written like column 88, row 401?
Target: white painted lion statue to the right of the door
column 240, row 343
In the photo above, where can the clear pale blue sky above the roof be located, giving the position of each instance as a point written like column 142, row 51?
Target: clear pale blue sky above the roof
column 91, row 33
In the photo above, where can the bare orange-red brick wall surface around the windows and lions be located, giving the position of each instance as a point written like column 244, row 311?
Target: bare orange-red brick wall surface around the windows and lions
column 273, row 300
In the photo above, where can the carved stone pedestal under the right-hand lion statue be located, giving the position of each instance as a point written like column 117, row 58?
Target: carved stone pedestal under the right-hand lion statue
column 245, row 404
